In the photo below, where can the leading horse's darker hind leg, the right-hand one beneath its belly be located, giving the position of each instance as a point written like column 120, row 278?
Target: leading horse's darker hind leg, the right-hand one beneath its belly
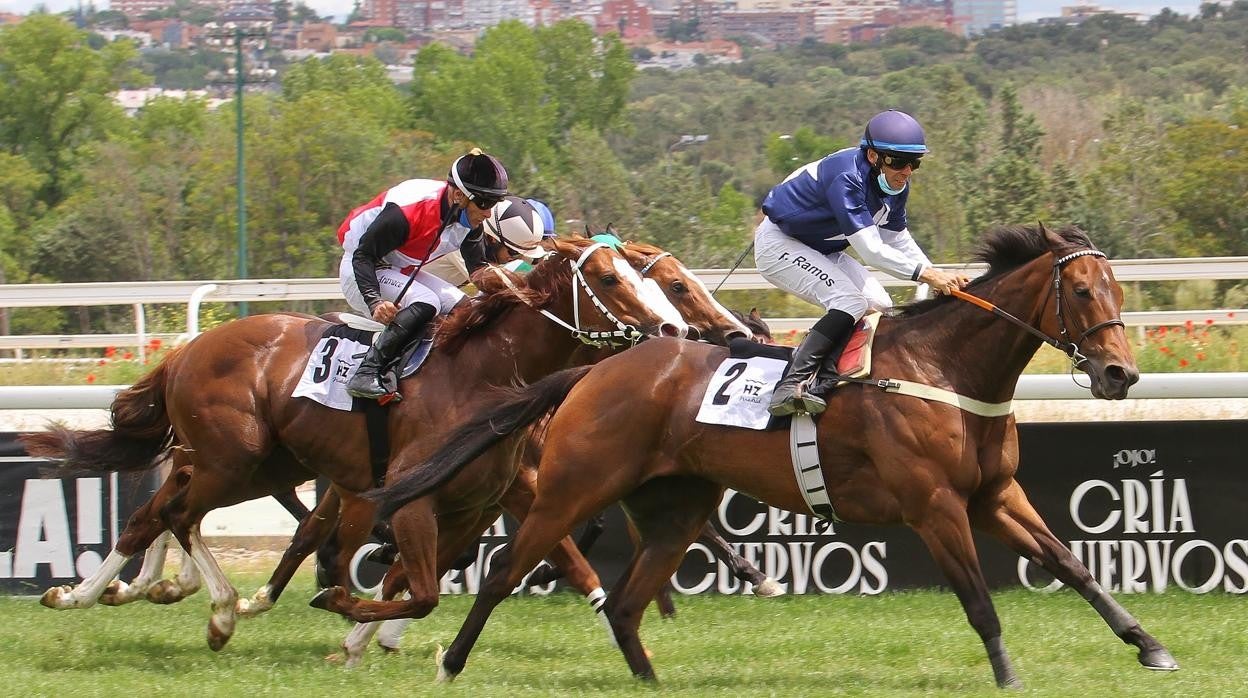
column 668, row 514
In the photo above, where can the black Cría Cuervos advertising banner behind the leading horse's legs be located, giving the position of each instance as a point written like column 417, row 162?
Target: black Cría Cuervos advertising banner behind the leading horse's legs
column 1146, row 506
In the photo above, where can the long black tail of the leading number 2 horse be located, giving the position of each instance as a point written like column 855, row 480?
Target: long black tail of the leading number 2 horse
column 520, row 409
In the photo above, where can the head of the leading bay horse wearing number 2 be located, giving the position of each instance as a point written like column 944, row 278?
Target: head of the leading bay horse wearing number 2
column 1088, row 319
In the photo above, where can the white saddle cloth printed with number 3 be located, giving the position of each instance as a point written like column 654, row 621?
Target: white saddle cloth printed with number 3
column 335, row 360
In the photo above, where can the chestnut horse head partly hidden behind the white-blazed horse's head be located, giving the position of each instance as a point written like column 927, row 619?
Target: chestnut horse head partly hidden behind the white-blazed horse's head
column 708, row 320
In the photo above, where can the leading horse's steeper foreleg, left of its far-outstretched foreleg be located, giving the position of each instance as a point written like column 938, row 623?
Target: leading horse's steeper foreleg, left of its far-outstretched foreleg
column 947, row 531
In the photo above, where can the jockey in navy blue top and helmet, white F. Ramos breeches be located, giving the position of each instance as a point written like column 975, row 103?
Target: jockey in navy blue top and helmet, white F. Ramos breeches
column 854, row 198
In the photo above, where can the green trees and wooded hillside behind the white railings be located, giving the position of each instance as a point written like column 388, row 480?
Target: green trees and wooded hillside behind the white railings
column 1135, row 132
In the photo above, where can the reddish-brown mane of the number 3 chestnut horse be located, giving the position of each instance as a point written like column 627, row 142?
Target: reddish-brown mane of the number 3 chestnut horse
column 539, row 289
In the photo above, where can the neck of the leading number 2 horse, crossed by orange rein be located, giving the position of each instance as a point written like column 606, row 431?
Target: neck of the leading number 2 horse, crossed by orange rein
column 988, row 354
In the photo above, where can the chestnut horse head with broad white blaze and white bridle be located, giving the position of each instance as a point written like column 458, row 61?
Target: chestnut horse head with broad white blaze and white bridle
column 608, row 297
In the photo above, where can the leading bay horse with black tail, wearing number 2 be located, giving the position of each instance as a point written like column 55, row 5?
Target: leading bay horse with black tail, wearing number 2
column 626, row 430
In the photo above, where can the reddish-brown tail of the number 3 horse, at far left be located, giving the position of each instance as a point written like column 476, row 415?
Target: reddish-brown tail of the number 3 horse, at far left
column 139, row 439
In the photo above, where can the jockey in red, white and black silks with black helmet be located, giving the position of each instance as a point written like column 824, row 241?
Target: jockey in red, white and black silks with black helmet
column 388, row 242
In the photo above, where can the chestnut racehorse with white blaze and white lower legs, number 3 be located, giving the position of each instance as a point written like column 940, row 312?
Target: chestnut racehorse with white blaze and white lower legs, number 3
column 223, row 408
